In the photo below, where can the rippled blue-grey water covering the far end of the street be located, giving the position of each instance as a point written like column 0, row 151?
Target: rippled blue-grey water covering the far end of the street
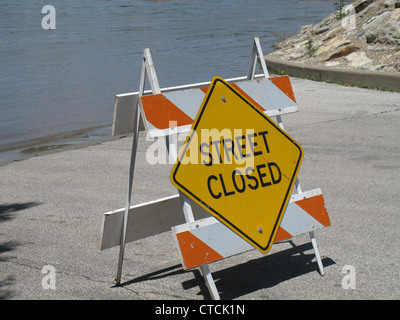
column 61, row 83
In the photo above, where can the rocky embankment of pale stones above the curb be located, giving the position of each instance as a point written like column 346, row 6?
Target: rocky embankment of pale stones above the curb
column 364, row 35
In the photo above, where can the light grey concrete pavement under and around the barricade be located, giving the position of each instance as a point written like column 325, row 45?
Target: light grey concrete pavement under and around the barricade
column 51, row 210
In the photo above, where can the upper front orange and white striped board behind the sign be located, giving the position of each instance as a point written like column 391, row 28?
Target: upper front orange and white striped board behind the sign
column 178, row 109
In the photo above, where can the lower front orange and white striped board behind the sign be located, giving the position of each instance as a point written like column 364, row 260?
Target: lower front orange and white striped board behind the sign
column 207, row 240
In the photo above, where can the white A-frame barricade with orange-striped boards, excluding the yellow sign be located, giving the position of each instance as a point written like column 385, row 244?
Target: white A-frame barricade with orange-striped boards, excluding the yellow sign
column 203, row 240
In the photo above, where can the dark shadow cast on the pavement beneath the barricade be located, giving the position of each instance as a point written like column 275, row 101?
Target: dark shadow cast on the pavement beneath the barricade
column 265, row 272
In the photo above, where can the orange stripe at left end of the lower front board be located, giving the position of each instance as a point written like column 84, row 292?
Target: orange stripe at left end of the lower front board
column 194, row 251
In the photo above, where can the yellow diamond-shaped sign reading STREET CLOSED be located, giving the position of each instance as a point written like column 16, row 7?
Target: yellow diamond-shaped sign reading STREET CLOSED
column 238, row 164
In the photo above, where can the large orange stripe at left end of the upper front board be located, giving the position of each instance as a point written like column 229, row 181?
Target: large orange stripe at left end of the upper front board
column 160, row 111
